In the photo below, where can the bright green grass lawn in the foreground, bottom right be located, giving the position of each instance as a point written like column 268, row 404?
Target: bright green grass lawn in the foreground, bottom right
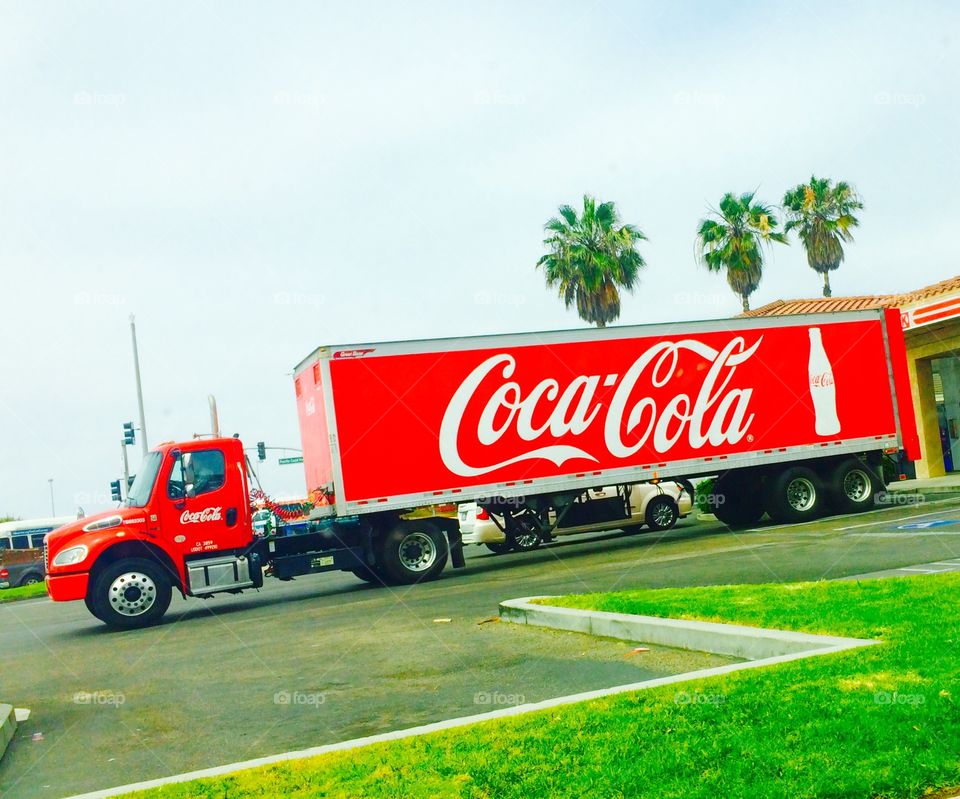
column 877, row 722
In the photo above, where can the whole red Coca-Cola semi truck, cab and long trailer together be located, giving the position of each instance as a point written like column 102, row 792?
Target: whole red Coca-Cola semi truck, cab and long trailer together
column 792, row 416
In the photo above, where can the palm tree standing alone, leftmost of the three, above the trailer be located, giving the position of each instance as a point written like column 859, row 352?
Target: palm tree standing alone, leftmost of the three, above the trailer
column 590, row 258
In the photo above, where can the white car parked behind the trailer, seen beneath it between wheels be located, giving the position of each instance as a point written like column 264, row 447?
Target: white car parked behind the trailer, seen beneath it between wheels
column 657, row 506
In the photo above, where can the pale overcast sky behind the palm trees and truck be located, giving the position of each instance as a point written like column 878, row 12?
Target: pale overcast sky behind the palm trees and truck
column 253, row 180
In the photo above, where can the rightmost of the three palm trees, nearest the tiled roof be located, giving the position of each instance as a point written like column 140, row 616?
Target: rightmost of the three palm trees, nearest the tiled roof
column 823, row 216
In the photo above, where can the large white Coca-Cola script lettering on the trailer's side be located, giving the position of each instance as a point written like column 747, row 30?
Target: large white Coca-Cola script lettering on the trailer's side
column 717, row 414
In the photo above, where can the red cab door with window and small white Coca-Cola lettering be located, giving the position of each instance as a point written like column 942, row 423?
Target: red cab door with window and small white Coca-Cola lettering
column 203, row 503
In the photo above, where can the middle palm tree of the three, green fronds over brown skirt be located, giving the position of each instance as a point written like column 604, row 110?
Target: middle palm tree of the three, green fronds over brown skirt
column 733, row 241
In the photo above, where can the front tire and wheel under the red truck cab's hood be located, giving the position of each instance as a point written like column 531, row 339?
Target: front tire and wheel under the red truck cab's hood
column 131, row 593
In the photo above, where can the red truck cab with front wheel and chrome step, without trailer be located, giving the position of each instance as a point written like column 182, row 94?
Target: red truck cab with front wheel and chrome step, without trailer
column 184, row 525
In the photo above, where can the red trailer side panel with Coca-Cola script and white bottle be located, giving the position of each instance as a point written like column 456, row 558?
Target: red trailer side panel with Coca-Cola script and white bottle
column 514, row 413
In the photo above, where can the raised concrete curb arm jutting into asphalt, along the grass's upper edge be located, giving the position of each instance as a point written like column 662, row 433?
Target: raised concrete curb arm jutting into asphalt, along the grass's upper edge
column 734, row 640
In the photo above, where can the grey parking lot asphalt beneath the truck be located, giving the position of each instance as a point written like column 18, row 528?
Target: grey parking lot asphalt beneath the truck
column 327, row 658
